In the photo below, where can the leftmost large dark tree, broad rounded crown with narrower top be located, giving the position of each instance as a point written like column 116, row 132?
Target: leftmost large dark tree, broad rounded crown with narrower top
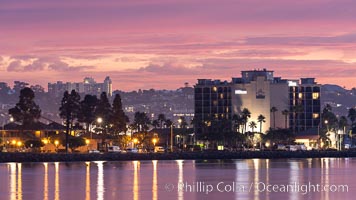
column 26, row 111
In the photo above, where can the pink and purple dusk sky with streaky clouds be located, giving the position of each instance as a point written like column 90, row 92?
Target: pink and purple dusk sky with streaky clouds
column 162, row 44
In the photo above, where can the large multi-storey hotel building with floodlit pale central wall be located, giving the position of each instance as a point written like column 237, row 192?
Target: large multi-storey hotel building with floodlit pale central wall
column 258, row 91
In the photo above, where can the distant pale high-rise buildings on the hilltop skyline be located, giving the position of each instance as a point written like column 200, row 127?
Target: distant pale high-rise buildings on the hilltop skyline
column 88, row 86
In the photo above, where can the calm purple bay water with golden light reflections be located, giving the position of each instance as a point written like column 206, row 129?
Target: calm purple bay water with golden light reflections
column 325, row 178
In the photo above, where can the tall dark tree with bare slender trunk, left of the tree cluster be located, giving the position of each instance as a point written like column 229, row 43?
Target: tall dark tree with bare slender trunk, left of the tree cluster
column 69, row 111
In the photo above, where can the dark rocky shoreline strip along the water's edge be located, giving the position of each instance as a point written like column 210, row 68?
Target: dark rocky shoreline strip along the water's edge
column 209, row 155
